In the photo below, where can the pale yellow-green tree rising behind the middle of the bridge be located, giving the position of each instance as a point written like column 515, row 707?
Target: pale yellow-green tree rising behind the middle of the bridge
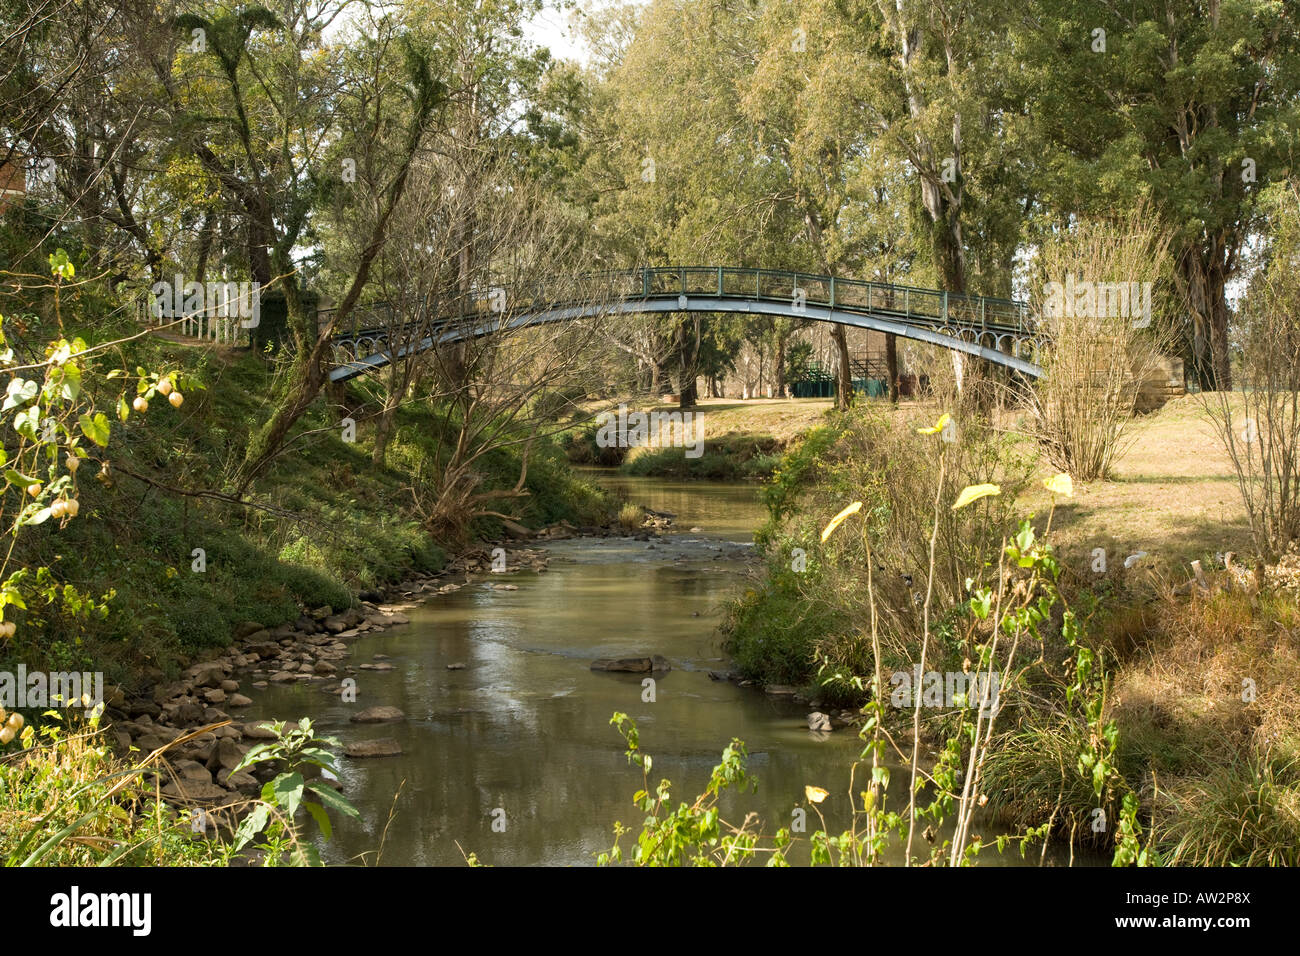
column 682, row 172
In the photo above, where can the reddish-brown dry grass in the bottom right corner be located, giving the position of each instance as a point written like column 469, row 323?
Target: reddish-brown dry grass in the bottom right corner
column 1210, row 723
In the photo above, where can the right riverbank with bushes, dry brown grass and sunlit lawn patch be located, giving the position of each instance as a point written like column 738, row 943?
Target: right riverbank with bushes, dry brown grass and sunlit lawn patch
column 1197, row 686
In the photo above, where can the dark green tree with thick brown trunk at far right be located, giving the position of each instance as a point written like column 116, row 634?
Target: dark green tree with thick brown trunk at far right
column 1194, row 105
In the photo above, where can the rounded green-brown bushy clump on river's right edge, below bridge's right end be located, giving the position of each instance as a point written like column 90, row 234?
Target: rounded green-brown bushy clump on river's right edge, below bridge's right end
column 817, row 591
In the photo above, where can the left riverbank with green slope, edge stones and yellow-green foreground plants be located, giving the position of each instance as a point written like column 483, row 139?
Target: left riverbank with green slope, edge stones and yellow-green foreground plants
column 185, row 573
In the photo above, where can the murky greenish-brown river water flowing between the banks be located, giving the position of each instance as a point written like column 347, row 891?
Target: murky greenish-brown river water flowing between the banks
column 513, row 758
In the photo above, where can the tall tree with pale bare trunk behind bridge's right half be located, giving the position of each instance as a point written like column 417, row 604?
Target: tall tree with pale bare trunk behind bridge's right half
column 941, row 96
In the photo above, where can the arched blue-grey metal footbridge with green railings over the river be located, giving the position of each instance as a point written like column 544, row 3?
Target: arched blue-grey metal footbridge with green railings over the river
column 999, row 331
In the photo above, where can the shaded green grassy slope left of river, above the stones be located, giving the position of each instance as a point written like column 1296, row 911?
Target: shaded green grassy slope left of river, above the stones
column 183, row 565
